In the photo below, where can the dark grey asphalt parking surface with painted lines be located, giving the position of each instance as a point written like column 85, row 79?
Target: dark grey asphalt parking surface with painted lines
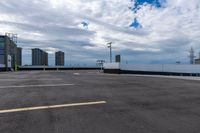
column 93, row 102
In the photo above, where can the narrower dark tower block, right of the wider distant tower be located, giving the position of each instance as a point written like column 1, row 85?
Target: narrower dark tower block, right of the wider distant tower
column 60, row 58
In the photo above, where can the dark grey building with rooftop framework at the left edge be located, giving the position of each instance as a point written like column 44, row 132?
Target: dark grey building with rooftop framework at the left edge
column 9, row 55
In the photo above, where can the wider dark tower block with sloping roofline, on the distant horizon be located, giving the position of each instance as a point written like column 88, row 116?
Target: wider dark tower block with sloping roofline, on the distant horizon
column 39, row 57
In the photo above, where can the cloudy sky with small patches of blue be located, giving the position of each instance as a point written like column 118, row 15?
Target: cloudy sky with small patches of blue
column 142, row 31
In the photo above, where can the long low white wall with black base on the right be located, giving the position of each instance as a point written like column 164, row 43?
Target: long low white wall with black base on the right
column 165, row 69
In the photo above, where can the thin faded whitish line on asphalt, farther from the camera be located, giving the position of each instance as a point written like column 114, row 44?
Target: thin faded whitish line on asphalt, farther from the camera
column 23, row 86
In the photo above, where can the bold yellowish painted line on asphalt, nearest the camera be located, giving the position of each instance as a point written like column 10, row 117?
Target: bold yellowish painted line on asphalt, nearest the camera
column 51, row 107
